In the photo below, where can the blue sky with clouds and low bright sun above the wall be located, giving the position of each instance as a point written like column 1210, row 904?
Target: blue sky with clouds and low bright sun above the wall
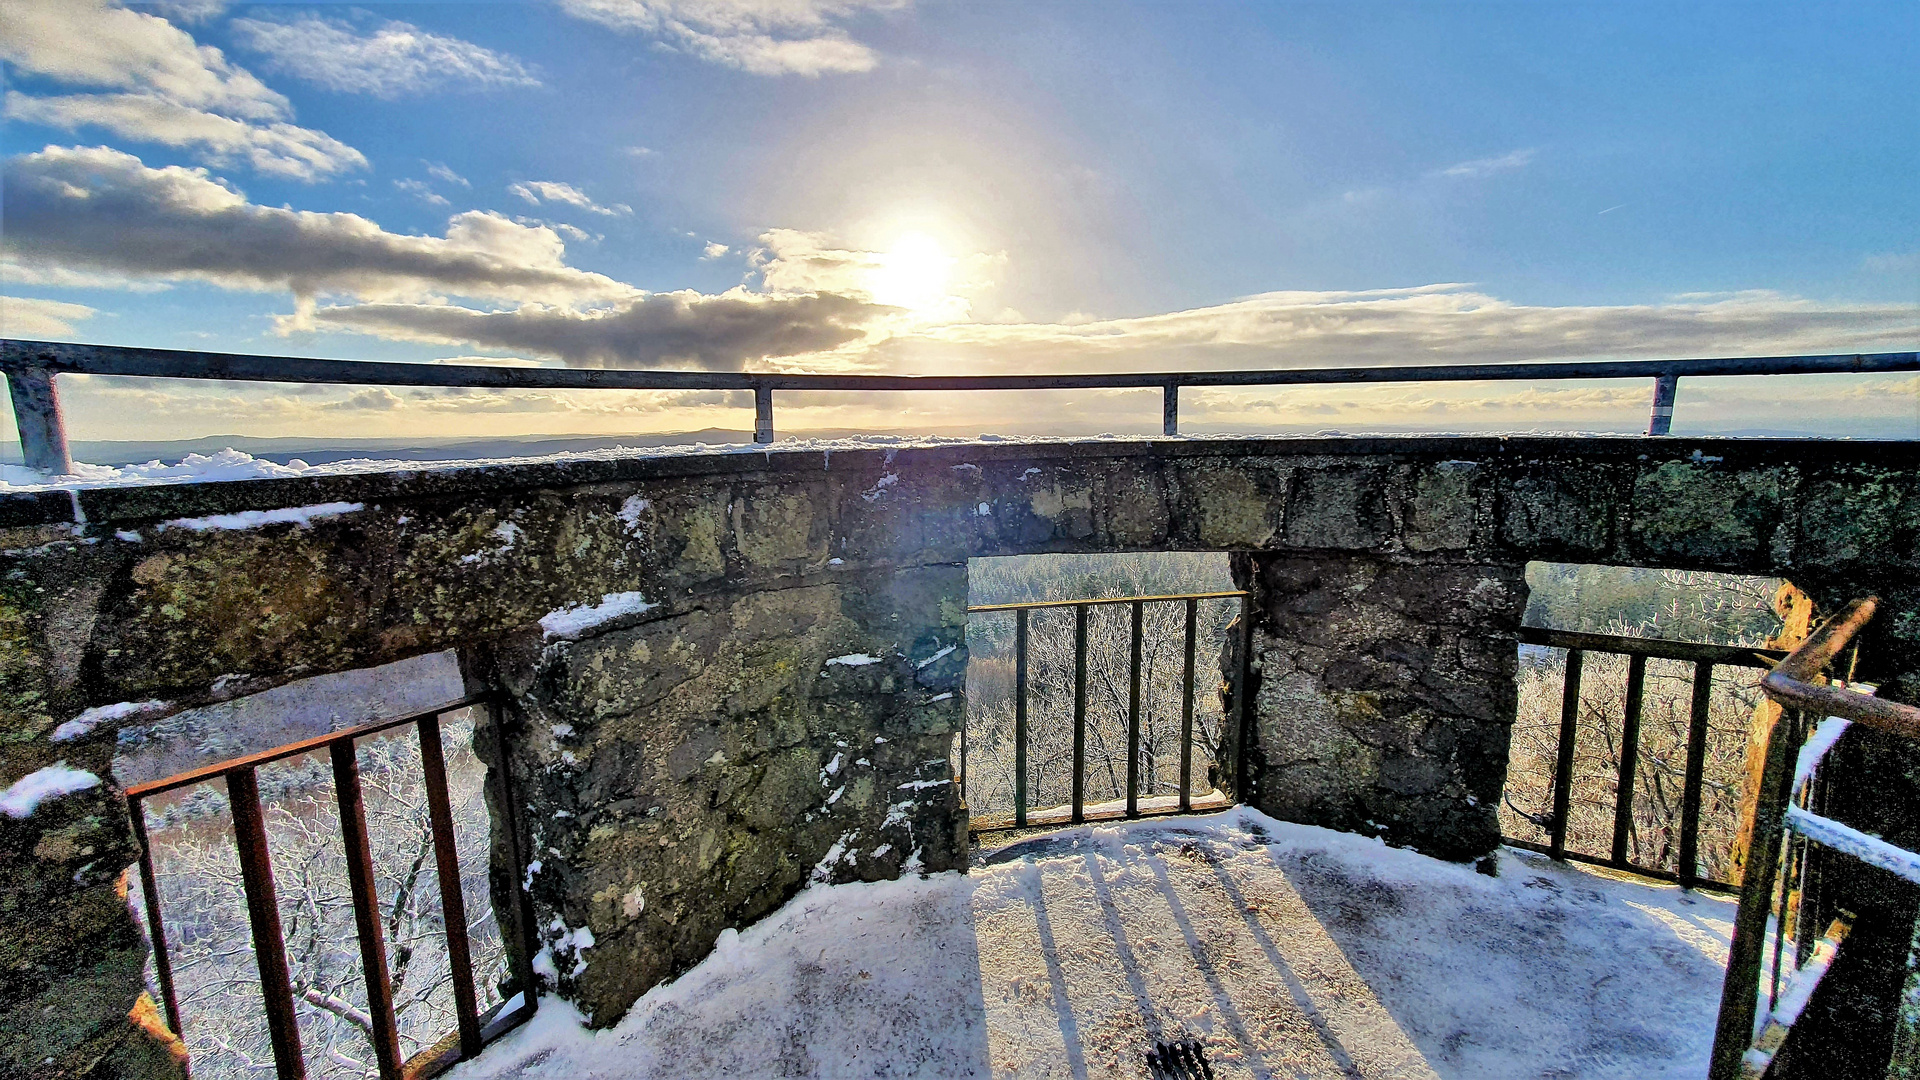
column 984, row 187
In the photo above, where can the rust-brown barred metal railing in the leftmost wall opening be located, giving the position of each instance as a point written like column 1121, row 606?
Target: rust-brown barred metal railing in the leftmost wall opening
column 264, row 916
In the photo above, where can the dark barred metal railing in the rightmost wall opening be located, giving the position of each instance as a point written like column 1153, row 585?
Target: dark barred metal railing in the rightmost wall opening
column 1637, row 650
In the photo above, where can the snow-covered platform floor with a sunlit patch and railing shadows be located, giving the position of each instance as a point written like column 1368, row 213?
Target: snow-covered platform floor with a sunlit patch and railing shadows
column 1285, row 950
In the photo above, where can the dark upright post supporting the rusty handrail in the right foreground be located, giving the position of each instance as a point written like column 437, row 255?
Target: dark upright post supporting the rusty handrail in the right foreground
column 1742, row 989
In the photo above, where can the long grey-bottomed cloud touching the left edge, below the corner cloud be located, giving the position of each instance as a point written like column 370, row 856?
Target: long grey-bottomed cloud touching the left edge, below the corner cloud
column 101, row 210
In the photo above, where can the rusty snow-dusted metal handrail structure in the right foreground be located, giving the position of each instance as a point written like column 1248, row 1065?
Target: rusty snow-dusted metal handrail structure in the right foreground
column 1787, row 825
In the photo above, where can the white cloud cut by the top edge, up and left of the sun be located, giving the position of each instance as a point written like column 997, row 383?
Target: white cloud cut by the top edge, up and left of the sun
column 761, row 37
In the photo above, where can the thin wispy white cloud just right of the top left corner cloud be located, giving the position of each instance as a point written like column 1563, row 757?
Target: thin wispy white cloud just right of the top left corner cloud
column 389, row 61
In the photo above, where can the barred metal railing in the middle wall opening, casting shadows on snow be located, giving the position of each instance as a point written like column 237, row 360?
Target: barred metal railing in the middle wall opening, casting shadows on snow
column 1138, row 604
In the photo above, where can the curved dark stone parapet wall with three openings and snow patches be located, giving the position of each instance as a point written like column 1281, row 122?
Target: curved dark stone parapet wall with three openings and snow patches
column 690, row 741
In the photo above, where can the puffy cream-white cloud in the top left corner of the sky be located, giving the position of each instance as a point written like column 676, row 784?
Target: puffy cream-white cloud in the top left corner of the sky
column 160, row 87
